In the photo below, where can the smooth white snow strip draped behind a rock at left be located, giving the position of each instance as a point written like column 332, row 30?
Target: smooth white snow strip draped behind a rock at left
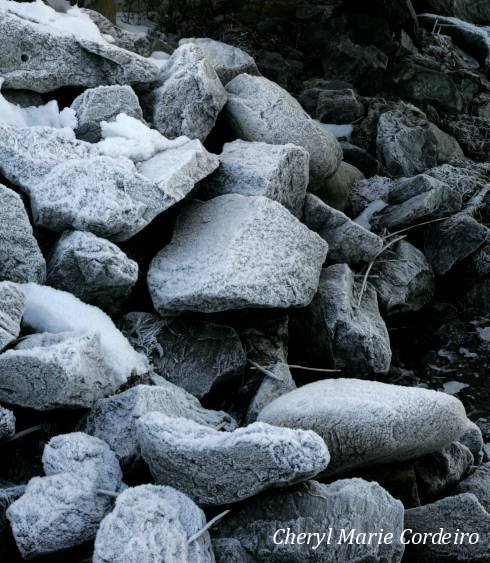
column 52, row 310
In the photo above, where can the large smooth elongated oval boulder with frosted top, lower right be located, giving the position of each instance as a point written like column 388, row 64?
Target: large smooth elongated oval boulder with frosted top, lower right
column 367, row 422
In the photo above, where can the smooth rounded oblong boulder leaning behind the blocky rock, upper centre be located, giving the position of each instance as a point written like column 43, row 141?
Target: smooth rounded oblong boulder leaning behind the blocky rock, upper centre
column 259, row 110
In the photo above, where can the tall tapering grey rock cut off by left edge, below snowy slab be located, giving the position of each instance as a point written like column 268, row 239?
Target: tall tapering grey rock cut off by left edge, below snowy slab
column 20, row 257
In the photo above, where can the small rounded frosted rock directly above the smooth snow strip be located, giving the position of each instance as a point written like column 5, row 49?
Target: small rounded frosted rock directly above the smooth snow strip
column 92, row 268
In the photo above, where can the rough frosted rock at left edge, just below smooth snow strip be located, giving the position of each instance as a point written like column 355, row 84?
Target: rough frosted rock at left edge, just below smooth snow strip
column 49, row 371
